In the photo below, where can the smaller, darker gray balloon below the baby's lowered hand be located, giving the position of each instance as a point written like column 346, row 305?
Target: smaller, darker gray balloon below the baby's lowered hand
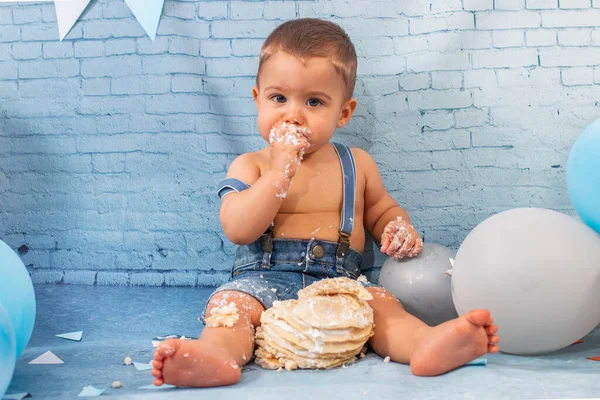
column 422, row 283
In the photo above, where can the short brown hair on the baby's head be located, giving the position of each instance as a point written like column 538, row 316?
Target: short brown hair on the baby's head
column 311, row 37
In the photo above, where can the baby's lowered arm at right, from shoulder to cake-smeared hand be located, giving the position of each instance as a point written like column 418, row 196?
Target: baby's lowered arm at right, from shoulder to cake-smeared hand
column 385, row 220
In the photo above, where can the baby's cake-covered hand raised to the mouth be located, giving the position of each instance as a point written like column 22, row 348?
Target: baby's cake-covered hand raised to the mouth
column 288, row 144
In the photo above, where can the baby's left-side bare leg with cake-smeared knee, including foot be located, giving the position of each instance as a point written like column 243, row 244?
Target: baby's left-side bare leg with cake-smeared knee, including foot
column 216, row 357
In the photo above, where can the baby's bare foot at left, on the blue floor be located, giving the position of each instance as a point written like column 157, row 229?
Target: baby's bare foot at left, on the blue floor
column 194, row 363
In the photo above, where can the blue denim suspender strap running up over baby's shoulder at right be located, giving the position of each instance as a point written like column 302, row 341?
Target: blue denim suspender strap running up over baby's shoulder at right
column 349, row 196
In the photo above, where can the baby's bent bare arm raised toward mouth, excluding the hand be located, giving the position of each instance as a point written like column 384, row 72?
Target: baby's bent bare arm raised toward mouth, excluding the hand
column 247, row 215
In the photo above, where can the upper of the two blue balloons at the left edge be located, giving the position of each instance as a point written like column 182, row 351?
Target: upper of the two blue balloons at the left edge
column 16, row 295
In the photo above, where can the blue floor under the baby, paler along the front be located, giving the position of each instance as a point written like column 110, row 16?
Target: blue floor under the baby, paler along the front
column 121, row 321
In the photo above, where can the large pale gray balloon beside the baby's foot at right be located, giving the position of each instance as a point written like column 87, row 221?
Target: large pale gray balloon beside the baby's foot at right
column 538, row 272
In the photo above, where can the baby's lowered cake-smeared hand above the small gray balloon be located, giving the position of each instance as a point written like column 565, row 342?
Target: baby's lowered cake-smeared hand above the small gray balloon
column 400, row 239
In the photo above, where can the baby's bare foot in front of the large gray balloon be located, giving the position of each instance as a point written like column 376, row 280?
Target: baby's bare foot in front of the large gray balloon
column 454, row 343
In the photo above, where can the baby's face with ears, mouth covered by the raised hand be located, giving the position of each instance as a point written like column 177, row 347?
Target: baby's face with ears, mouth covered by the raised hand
column 310, row 95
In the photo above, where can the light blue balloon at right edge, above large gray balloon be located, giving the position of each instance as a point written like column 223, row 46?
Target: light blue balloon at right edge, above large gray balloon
column 583, row 175
